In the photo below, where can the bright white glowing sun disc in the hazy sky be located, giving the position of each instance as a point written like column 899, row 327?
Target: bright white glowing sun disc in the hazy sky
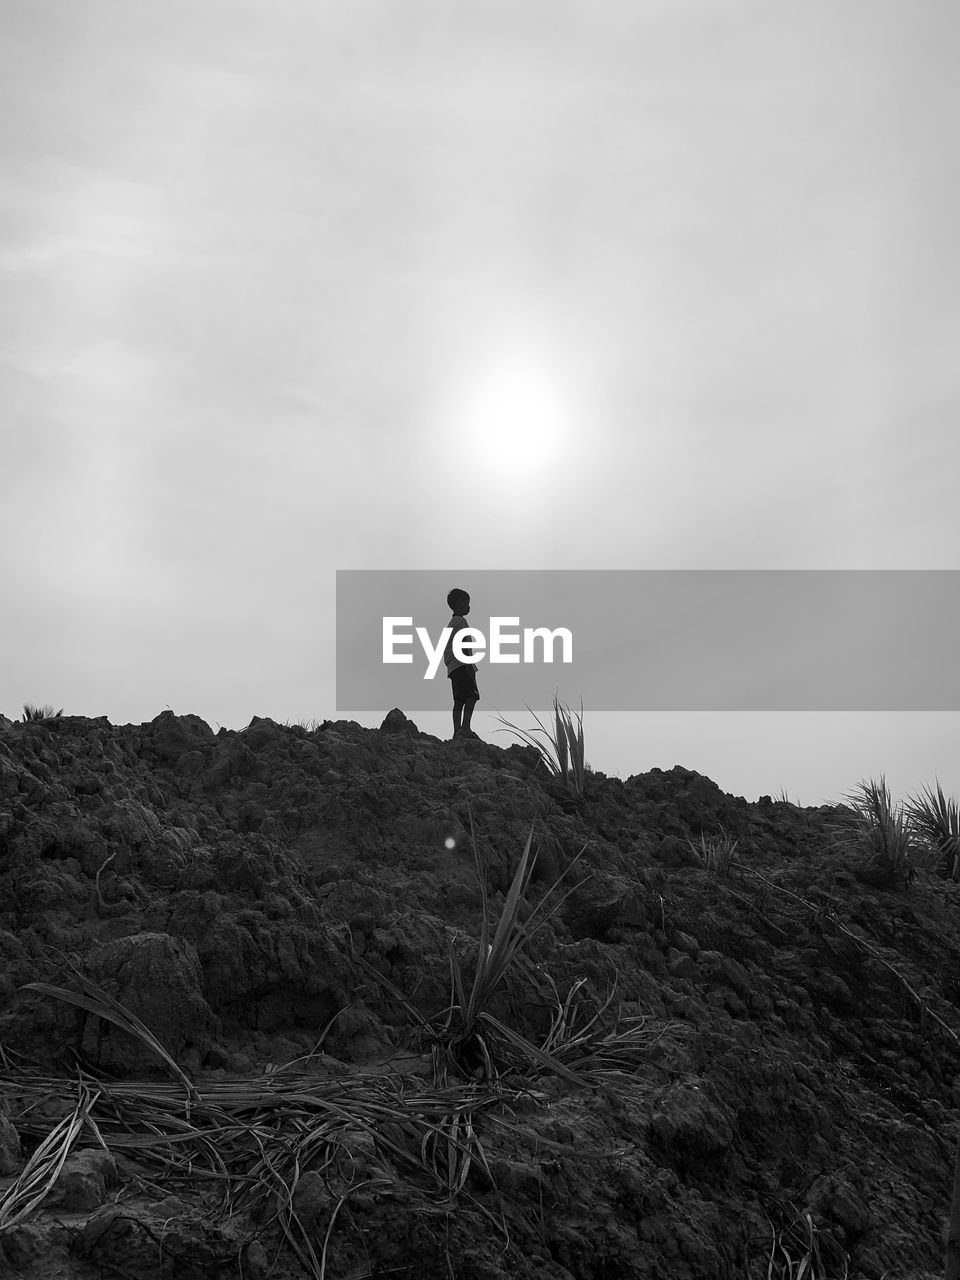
column 515, row 419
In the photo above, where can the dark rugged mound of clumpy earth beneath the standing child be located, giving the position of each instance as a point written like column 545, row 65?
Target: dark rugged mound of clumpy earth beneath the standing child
column 737, row 1073
